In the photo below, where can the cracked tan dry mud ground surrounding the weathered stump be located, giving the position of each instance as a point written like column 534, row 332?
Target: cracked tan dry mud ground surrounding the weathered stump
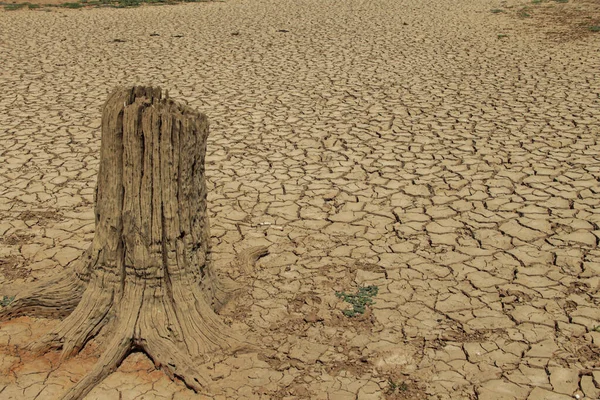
column 444, row 153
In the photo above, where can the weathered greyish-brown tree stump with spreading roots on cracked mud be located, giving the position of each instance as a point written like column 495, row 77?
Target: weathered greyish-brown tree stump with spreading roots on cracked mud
column 146, row 281
